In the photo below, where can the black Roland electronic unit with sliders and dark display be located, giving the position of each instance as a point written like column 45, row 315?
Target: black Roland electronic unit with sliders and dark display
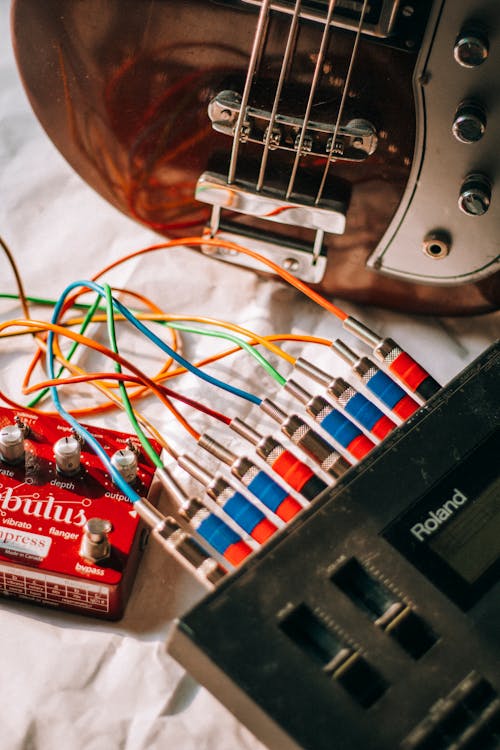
column 373, row 620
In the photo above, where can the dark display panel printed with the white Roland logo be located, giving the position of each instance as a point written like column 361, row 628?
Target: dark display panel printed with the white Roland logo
column 452, row 533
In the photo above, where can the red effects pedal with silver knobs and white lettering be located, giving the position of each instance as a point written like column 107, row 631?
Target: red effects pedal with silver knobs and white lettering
column 68, row 538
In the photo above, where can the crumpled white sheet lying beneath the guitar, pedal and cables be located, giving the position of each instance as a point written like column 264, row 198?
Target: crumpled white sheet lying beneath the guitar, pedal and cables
column 75, row 682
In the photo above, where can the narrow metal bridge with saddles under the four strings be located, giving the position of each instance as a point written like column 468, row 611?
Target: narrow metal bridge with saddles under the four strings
column 355, row 141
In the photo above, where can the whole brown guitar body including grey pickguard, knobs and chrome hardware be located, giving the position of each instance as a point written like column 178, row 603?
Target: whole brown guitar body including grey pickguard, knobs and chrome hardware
column 126, row 90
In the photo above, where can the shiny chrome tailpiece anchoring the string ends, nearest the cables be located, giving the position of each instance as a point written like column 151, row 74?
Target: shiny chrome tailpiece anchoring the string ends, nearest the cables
column 306, row 262
